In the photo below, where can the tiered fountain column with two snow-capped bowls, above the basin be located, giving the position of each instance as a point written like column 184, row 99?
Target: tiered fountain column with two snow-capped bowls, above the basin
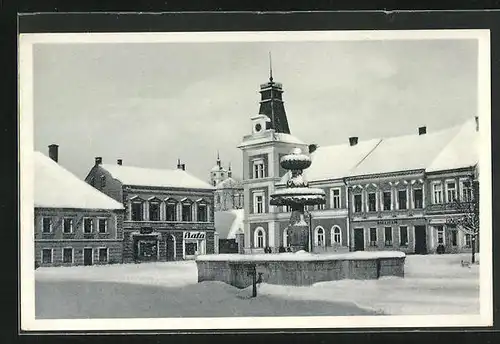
column 297, row 195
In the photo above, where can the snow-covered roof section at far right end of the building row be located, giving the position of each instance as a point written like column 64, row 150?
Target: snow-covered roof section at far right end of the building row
column 461, row 151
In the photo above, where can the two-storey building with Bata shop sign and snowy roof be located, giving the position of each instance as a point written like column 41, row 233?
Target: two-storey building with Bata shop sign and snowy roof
column 169, row 214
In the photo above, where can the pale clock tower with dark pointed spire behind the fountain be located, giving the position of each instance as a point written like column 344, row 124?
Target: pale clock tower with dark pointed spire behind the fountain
column 268, row 141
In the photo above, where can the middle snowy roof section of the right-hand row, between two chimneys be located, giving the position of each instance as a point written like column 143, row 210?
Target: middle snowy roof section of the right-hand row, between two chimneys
column 404, row 153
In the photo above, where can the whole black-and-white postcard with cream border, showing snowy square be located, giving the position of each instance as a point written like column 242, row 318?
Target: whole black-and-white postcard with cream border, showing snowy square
column 257, row 177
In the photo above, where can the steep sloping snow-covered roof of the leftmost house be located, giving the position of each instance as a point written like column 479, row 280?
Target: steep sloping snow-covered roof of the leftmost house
column 56, row 187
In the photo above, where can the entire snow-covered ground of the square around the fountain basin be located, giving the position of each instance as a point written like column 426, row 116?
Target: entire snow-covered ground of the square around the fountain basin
column 433, row 285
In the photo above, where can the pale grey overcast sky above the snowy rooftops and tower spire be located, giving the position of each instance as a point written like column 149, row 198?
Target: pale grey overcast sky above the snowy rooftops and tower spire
column 152, row 103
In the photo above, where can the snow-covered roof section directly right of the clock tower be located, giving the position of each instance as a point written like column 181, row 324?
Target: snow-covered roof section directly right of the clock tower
column 333, row 162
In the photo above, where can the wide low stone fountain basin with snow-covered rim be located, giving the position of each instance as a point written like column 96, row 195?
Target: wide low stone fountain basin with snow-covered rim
column 299, row 269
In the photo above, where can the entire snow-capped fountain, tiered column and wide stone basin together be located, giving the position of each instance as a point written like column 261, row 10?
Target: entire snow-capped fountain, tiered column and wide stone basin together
column 298, row 268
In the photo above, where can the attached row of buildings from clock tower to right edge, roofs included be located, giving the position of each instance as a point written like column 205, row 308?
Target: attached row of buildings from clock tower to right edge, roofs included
column 396, row 193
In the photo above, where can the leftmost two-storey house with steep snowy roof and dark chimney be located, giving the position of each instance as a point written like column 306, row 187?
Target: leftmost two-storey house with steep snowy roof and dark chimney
column 74, row 223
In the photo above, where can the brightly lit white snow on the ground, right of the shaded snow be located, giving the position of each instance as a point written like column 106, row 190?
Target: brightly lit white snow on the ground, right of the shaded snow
column 433, row 284
